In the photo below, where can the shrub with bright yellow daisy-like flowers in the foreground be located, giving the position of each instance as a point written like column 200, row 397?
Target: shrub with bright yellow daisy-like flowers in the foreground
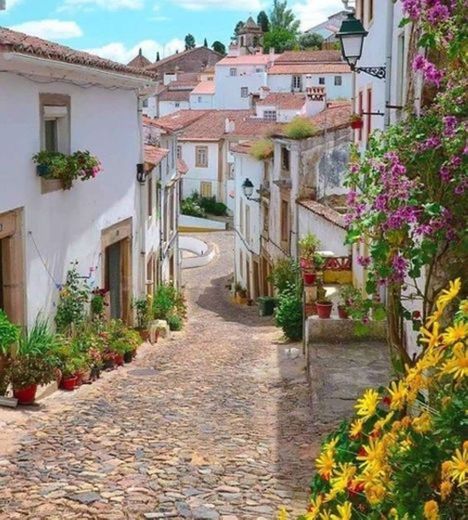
column 405, row 453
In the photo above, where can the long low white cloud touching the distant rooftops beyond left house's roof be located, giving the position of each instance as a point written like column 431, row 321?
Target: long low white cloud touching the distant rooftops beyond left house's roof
column 117, row 51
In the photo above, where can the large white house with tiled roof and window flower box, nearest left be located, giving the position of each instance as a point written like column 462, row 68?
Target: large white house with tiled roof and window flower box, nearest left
column 56, row 99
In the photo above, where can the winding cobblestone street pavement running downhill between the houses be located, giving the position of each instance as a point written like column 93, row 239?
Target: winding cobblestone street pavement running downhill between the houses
column 212, row 423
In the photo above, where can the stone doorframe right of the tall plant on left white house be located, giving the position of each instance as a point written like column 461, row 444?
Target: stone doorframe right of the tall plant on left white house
column 120, row 232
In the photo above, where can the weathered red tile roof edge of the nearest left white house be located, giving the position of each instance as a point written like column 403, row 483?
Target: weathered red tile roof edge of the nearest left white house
column 12, row 41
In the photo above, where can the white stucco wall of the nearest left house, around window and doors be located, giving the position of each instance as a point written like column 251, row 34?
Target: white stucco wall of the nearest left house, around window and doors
column 67, row 225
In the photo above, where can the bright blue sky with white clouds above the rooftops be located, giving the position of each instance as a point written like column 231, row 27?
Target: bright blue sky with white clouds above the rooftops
column 116, row 29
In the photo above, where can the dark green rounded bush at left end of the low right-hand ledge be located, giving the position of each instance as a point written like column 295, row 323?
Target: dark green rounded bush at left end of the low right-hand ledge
column 289, row 312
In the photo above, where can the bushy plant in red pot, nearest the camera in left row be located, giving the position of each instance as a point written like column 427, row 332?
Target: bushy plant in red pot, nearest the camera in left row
column 26, row 373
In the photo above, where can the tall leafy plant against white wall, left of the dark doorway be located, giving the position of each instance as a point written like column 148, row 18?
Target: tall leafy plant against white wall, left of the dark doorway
column 71, row 307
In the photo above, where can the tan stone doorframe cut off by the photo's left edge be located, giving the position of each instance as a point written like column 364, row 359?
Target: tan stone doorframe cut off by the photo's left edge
column 11, row 230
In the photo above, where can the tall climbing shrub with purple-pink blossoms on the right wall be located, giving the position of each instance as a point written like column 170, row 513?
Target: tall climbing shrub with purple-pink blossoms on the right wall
column 408, row 192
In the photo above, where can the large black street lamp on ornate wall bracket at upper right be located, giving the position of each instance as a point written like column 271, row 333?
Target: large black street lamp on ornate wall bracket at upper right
column 351, row 36
